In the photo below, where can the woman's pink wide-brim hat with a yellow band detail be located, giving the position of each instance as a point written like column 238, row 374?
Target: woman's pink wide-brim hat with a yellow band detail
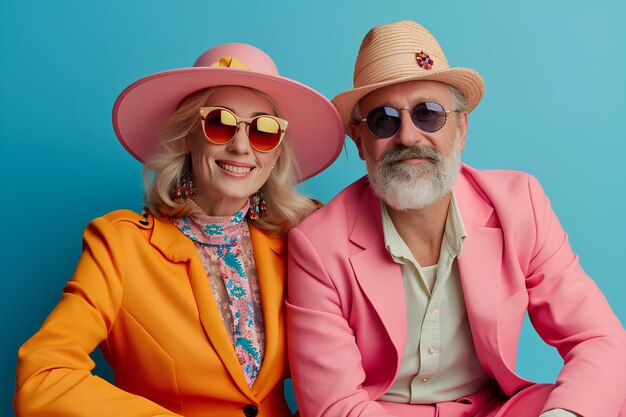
column 315, row 129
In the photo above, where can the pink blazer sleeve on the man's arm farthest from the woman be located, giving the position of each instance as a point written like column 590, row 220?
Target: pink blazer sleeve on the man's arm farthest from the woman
column 570, row 313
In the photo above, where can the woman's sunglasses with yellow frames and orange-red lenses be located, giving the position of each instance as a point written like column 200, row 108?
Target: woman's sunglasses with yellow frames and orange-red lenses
column 220, row 125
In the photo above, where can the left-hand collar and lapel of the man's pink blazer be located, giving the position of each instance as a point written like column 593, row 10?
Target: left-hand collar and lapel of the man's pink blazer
column 378, row 275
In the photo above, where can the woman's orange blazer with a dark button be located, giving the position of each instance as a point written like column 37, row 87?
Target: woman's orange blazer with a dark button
column 141, row 293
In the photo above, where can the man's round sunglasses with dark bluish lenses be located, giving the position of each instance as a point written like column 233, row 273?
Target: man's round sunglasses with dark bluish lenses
column 384, row 122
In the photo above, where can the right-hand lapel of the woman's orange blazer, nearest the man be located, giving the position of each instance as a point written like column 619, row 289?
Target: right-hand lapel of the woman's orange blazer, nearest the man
column 269, row 257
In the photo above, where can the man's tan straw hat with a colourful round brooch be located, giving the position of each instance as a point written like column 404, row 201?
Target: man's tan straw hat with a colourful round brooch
column 400, row 52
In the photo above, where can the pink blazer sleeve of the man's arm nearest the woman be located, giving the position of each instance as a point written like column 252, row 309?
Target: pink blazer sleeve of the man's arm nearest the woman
column 323, row 355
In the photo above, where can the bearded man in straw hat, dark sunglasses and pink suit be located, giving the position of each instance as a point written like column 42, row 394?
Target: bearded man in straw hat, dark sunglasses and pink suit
column 407, row 291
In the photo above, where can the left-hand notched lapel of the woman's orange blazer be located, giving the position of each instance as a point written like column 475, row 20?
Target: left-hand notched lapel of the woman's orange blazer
column 179, row 248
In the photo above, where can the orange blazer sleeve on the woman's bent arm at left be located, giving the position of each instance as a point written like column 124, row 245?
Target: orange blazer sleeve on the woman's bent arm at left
column 54, row 368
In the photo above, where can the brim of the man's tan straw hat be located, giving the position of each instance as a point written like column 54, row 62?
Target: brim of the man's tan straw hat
column 468, row 81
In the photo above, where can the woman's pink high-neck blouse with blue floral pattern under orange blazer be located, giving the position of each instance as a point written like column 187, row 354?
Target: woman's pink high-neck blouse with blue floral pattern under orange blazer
column 225, row 248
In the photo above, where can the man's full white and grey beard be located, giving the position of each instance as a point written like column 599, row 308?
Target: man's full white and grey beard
column 405, row 187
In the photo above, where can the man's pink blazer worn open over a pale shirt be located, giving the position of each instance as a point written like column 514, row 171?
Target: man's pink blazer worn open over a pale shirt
column 346, row 312
